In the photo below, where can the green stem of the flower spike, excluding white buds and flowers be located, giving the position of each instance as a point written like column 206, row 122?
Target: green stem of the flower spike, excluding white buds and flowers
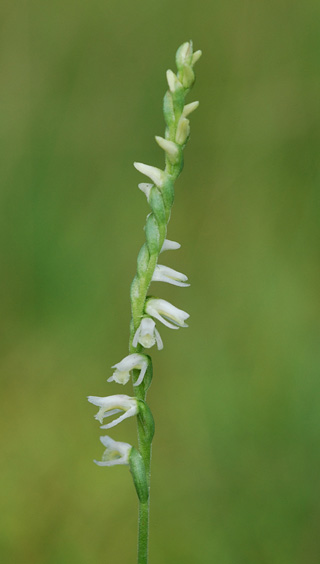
column 145, row 270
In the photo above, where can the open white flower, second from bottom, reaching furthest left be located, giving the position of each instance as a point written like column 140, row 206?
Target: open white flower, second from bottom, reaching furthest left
column 114, row 404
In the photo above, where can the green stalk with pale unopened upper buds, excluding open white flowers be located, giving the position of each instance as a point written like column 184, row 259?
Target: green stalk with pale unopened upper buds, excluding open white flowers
column 160, row 198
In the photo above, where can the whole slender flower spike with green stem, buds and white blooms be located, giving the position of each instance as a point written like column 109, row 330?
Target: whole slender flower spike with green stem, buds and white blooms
column 146, row 310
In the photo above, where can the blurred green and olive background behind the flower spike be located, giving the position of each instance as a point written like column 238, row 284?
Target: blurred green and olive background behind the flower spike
column 236, row 396
